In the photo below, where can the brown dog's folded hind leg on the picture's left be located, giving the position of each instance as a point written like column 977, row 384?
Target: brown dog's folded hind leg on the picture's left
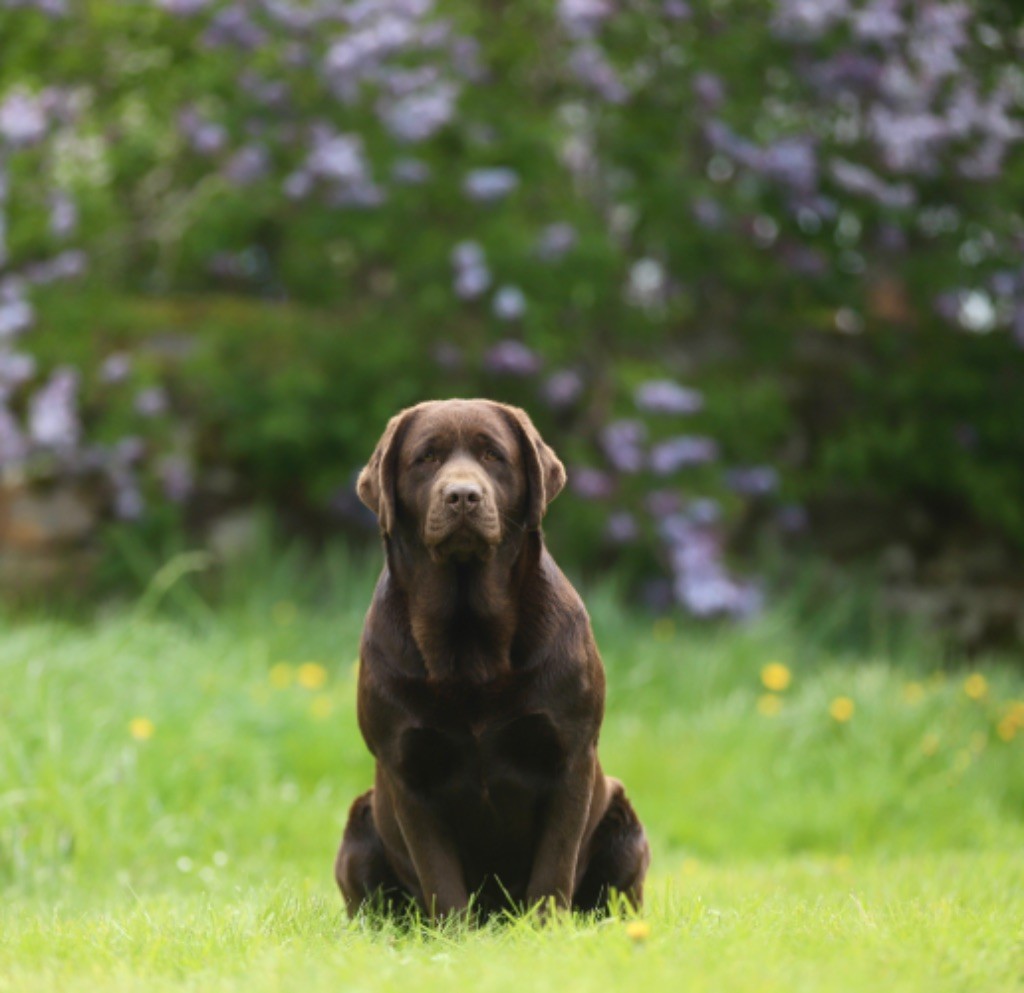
column 362, row 870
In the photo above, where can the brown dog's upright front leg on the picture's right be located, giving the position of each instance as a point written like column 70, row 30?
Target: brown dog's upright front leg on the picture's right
column 554, row 871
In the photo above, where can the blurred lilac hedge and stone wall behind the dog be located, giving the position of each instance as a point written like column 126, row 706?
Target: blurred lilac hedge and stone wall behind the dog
column 755, row 268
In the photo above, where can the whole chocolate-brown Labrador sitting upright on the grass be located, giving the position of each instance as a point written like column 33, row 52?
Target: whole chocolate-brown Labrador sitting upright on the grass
column 482, row 690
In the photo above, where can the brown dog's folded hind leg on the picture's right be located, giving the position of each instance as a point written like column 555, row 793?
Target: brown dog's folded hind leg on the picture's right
column 618, row 856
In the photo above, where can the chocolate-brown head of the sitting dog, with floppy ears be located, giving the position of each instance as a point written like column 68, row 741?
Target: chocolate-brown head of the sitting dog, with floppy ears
column 461, row 476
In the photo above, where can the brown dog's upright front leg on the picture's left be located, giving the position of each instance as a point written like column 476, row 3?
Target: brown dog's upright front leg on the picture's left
column 433, row 851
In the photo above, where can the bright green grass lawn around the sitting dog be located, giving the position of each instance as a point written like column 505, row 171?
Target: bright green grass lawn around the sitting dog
column 792, row 851
